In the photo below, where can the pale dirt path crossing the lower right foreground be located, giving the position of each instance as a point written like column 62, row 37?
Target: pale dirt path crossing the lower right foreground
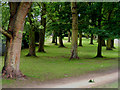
column 100, row 78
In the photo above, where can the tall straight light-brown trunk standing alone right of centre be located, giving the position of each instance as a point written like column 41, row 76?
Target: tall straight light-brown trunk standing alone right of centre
column 74, row 52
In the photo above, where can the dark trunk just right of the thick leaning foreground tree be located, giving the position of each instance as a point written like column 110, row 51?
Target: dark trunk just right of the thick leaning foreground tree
column 31, row 36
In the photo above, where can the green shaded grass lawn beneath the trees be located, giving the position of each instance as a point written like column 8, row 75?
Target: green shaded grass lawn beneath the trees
column 55, row 64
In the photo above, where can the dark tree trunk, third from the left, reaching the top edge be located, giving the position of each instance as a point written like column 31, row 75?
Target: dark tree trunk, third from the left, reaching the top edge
column 42, row 31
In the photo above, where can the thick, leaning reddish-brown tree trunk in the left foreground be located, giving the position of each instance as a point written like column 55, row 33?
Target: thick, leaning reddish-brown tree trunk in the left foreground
column 18, row 12
